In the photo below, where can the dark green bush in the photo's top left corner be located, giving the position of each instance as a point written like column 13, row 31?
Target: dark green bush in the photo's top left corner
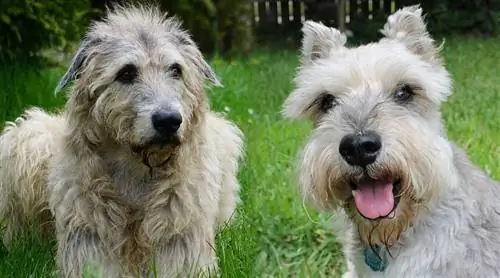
column 28, row 26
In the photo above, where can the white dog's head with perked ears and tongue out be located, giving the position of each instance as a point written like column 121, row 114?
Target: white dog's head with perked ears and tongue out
column 378, row 148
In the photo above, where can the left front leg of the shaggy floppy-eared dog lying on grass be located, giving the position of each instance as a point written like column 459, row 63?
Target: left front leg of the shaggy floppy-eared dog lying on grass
column 90, row 221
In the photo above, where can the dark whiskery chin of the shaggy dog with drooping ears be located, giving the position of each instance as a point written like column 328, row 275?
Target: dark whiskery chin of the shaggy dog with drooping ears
column 157, row 151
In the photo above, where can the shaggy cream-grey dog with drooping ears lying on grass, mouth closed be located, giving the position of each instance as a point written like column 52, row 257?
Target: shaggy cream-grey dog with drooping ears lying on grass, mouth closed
column 137, row 170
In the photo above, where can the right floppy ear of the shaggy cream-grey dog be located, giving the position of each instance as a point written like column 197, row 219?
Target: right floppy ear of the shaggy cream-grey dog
column 196, row 57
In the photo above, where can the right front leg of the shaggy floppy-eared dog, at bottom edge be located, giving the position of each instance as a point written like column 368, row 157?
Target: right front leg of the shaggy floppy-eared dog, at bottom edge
column 191, row 254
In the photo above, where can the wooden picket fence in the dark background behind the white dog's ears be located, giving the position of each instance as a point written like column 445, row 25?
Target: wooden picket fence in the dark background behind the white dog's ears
column 284, row 17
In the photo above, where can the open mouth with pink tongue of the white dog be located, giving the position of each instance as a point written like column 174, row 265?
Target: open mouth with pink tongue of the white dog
column 376, row 199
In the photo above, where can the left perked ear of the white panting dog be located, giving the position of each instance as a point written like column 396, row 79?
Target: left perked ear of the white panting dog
column 319, row 41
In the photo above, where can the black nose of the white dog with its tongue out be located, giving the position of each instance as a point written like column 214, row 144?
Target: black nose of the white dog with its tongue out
column 360, row 150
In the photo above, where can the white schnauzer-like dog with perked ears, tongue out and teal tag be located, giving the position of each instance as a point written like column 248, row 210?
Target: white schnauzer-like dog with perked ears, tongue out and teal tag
column 407, row 201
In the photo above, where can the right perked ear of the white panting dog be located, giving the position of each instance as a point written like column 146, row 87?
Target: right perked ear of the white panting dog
column 407, row 26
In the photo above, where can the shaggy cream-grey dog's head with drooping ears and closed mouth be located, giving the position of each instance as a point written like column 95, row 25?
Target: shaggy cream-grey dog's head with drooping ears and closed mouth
column 139, row 81
